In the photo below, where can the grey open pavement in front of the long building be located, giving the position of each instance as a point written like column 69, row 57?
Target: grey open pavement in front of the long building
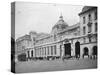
column 55, row 65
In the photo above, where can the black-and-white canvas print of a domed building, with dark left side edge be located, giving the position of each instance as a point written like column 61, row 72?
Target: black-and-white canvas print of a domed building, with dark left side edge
column 53, row 37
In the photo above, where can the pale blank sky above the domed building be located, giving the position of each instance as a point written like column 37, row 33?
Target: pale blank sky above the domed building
column 41, row 17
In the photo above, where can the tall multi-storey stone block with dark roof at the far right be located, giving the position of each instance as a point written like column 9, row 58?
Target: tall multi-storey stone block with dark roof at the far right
column 88, row 27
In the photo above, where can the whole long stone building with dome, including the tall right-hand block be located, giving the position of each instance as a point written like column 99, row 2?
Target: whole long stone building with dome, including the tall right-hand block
column 78, row 40
